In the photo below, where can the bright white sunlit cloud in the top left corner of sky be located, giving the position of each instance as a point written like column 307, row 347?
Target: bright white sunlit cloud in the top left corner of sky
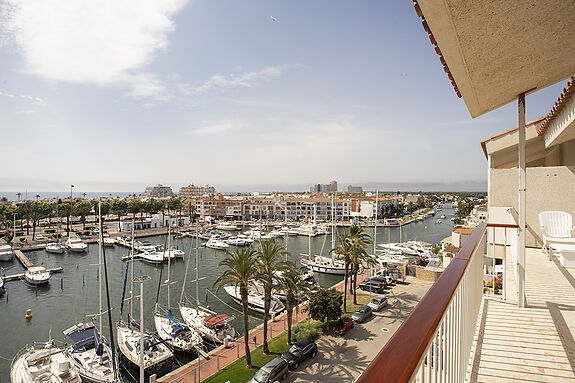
column 104, row 42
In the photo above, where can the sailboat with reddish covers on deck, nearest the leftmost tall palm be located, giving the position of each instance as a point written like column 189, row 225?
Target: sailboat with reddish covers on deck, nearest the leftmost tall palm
column 212, row 326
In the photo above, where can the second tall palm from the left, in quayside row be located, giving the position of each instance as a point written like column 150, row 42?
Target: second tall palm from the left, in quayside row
column 270, row 261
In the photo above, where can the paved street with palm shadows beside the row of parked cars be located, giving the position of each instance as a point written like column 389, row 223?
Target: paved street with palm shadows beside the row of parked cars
column 345, row 357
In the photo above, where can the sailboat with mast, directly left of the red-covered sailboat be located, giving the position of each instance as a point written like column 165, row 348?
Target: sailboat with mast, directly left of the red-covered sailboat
column 178, row 335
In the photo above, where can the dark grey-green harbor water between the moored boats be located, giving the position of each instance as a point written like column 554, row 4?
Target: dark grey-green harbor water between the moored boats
column 71, row 297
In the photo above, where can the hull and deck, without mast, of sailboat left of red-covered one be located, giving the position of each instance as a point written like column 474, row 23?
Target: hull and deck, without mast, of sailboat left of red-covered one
column 180, row 336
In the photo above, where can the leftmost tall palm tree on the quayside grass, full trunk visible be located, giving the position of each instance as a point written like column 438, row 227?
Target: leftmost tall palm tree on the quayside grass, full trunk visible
column 240, row 271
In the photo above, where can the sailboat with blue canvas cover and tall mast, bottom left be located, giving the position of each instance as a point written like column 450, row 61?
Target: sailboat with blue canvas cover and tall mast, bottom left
column 89, row 351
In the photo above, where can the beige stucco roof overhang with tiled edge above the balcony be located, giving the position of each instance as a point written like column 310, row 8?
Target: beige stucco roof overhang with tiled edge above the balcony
column 493, row 50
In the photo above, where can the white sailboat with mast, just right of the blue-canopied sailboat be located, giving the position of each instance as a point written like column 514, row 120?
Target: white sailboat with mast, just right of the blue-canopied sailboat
column 141, row 349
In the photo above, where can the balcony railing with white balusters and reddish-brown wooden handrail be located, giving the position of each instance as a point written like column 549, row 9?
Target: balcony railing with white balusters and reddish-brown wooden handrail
column 435, row 342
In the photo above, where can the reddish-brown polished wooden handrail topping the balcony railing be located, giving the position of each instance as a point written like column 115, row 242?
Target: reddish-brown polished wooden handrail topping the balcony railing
column 400, row 357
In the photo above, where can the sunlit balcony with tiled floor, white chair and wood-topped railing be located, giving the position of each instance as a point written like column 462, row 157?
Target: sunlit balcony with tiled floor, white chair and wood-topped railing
column 462, row 332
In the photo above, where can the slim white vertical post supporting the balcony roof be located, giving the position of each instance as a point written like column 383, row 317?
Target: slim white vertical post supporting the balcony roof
column 522, row 209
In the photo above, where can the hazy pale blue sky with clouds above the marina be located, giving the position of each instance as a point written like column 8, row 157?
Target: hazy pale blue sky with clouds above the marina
column 115, row 95
